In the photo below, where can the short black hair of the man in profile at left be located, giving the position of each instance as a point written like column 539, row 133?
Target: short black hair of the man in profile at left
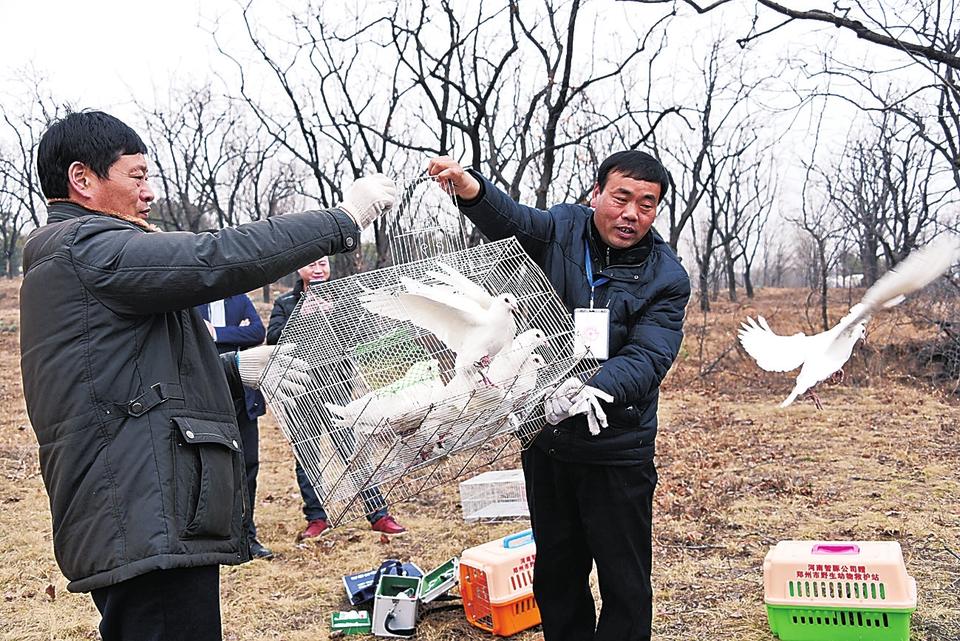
column 94, row 138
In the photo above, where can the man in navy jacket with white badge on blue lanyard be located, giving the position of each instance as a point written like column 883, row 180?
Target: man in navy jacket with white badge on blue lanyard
column 590, row 490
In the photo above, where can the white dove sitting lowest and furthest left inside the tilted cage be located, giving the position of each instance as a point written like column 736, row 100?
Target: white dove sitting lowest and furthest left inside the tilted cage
column 403, row 403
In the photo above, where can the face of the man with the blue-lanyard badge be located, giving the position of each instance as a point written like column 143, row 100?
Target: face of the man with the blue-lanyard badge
column 624, row 210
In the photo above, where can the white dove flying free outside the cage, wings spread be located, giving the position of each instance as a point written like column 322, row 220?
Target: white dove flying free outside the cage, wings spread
column 822, row 355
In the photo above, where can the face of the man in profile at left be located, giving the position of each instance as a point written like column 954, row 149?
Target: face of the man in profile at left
column 125, row 190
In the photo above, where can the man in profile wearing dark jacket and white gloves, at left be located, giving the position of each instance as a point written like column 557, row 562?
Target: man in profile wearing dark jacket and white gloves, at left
column 132, row 406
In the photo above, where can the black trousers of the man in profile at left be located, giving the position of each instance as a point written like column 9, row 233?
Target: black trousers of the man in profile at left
column 182, row 604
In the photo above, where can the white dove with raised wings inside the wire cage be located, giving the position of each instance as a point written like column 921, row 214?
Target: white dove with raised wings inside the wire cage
column 472, row 323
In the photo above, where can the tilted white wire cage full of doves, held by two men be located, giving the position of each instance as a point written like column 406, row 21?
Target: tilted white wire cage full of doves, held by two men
column 386, row 413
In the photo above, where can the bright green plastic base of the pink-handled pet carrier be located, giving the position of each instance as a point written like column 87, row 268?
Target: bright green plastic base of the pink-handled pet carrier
column 838, row 624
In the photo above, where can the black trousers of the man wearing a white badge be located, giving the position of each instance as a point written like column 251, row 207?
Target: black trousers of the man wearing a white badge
column 583, row 514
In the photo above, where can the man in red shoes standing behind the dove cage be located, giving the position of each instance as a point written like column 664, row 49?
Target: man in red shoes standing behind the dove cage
column 317, row 523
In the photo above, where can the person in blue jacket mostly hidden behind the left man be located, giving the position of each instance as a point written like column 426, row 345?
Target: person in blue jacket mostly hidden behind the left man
column 235, row 325
